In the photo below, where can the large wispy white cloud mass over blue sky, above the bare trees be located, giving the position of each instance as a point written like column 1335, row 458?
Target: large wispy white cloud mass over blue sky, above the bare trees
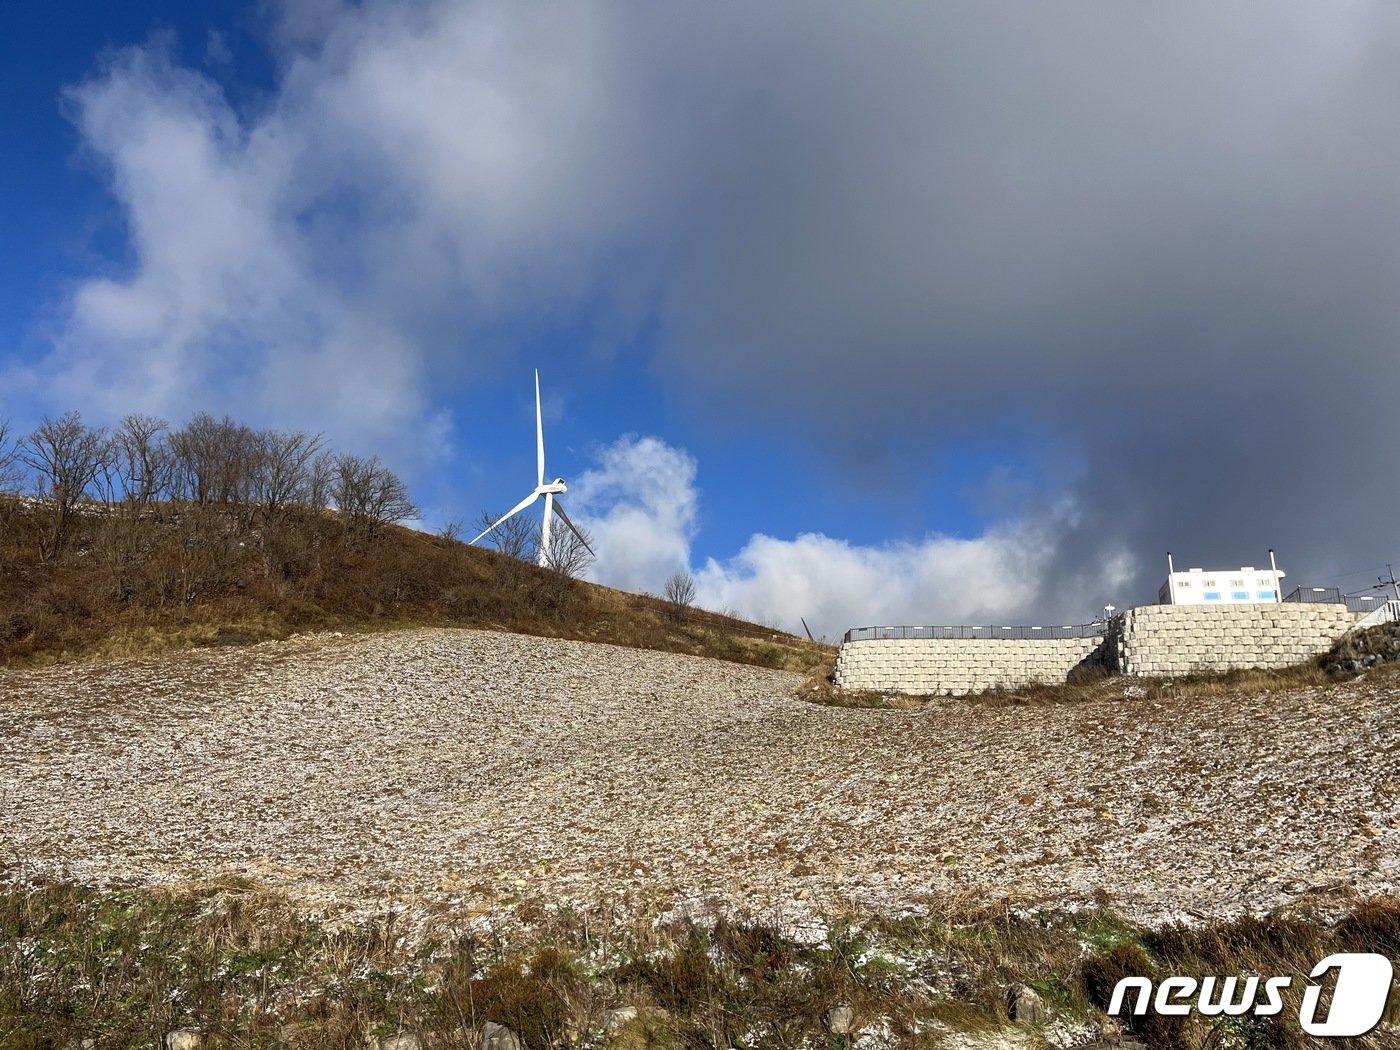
column 416, row 183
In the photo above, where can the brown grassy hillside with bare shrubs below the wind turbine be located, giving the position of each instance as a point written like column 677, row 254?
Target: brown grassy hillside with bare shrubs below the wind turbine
column 190, row 577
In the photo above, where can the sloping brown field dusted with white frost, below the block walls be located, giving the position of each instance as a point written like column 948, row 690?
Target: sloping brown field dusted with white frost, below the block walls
column 471, row 769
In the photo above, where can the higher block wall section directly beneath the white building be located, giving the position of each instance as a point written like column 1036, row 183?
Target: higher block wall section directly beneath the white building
column 1179, row 639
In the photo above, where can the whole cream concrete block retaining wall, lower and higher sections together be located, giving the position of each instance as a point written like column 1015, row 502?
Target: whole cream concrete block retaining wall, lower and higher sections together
column 1151, row 640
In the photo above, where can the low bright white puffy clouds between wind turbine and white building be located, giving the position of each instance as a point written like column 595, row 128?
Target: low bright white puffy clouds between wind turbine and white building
column 640, row 505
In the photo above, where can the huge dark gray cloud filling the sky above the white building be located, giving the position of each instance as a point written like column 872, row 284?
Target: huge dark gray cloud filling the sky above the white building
column 1168, row 236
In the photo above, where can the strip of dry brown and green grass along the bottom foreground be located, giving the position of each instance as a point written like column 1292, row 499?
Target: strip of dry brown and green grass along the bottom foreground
column 246, row 968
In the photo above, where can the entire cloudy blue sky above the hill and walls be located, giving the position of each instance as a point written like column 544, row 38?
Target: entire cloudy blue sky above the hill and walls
column 864, row 316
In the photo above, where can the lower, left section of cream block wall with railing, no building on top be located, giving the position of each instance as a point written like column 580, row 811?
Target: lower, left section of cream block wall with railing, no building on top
column 957, row 666
